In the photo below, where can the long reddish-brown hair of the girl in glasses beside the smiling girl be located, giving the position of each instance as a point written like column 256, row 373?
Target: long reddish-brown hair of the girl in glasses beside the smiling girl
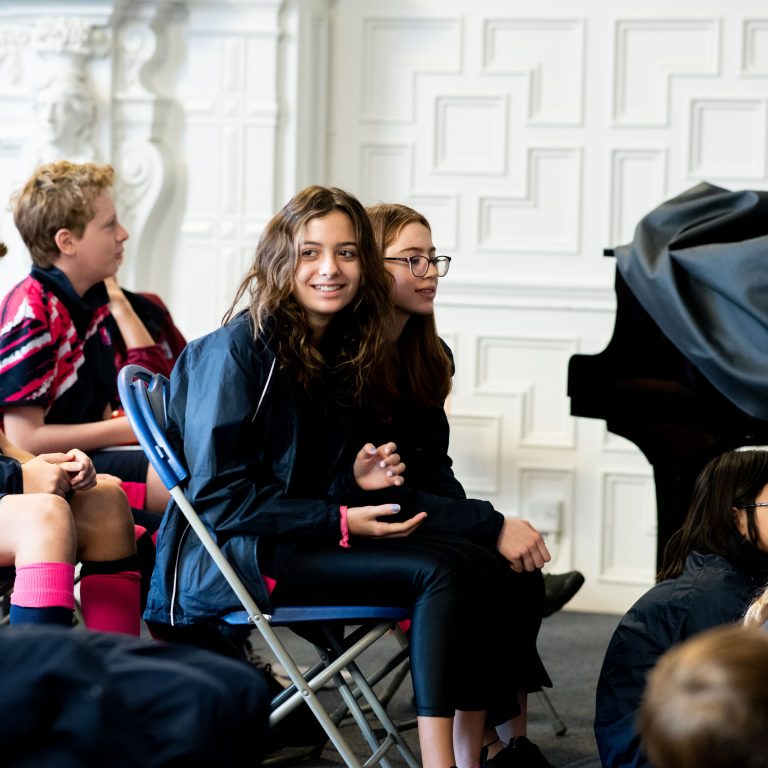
column 425, row 368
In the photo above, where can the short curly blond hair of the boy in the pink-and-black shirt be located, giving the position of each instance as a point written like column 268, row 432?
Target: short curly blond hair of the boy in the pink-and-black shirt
column 59, row 195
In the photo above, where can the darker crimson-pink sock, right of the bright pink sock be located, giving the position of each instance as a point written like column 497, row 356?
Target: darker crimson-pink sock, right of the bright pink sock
column 111, row 602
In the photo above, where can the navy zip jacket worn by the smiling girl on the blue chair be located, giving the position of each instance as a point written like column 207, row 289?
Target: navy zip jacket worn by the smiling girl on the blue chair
column 233, row 417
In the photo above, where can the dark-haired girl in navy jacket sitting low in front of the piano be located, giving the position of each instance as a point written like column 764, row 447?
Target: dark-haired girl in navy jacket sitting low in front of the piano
column 713, row 567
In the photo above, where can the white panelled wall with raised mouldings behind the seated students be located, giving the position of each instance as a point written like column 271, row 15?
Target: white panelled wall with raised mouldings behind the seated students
column 531, row 134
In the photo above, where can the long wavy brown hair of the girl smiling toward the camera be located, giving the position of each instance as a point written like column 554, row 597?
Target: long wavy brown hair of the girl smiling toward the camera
column 359, row 333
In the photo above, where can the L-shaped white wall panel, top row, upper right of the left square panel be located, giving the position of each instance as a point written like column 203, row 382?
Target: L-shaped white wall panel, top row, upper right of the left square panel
column 549, row 53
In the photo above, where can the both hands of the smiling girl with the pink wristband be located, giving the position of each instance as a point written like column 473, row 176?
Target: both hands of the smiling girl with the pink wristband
column 376, row 468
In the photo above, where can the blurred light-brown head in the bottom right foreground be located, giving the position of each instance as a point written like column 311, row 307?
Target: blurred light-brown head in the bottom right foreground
column 706, row 703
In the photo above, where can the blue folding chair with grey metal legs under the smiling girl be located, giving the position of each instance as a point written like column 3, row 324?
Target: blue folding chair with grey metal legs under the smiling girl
column 144, row 397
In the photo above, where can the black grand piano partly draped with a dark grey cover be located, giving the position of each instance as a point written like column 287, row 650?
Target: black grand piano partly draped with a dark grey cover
column 685, row 374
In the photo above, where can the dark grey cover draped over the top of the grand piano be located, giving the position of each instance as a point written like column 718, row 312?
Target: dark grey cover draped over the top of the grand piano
column 698, row 264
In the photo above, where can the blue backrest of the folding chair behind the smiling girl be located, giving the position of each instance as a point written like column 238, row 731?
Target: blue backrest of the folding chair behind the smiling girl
column 144, row 396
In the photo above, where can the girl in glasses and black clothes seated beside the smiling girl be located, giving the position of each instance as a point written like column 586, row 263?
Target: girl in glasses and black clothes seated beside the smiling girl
column 417, row 423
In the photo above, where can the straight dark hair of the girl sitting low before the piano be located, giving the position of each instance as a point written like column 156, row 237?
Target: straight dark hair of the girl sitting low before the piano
column 726, row 483
